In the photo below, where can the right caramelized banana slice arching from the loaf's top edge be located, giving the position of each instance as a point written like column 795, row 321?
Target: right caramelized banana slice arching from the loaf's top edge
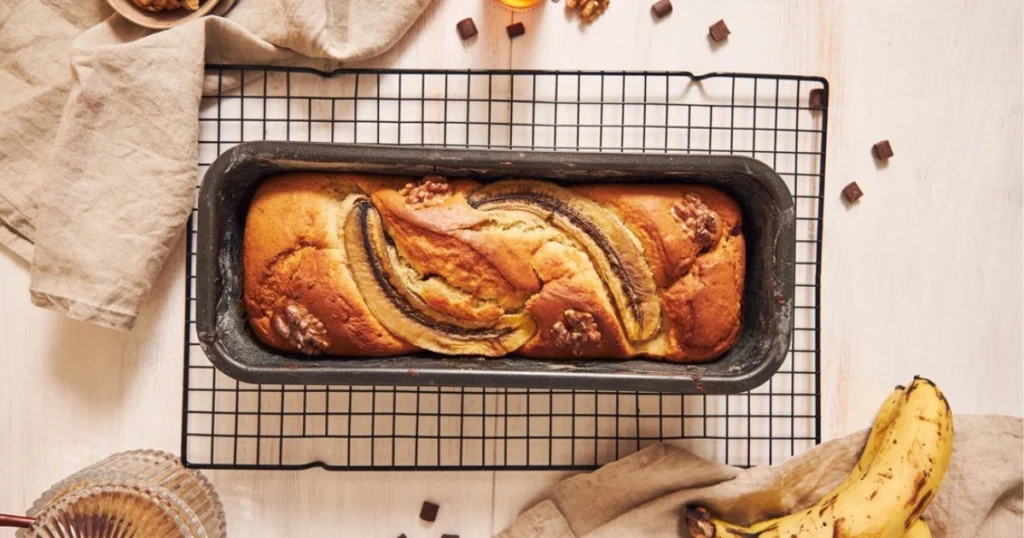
column 619, row 260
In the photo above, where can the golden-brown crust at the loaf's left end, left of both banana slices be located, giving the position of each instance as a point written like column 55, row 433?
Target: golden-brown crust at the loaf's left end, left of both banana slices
column 292, row 256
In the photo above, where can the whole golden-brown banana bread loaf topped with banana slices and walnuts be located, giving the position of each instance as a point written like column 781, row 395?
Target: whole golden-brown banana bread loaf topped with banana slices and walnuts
column 364, row 266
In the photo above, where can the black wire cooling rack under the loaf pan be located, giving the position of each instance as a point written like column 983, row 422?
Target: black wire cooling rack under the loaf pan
column 232, row 425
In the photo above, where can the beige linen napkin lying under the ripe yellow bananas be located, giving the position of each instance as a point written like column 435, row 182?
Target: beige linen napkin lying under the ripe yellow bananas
column 646, row 493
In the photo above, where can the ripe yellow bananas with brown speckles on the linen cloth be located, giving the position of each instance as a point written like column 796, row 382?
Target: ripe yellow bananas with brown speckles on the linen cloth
column 886, row 494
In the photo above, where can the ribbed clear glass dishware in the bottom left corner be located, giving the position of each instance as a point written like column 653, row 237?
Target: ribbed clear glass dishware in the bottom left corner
column 142, row 493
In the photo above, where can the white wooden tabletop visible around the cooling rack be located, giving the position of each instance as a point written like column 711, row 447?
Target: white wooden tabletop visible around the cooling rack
column 924, row 276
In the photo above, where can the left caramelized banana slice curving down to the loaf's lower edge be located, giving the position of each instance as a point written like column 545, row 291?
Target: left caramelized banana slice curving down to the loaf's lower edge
column 406, row 315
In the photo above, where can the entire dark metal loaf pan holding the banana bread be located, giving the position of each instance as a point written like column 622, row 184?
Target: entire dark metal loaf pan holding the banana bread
column 767, row 310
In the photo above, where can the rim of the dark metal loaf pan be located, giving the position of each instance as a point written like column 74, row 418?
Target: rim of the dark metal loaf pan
column 689, row 379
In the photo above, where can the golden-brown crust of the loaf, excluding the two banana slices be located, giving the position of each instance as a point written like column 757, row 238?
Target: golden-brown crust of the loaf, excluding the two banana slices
column 481, row 265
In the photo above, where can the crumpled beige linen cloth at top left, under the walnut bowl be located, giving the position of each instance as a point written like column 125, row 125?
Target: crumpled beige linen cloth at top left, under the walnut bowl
column 100, row 127
